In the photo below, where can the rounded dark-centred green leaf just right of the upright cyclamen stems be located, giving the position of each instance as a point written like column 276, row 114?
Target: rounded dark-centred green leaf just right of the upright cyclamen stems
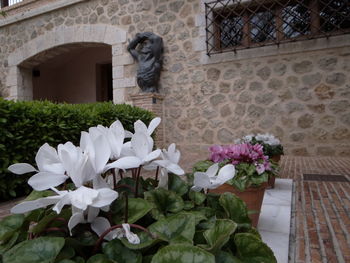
column 164, row 201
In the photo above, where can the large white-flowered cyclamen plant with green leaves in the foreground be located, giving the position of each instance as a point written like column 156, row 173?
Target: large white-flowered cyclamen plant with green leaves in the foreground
column 90, row 204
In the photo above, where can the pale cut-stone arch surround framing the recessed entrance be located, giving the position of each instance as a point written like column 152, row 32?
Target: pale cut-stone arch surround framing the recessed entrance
column 18, row 79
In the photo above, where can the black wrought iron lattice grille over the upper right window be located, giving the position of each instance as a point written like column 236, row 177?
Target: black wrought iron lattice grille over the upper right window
column 240, row 24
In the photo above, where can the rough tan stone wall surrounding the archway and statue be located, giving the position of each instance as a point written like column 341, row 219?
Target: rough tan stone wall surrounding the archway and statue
column 303, row 97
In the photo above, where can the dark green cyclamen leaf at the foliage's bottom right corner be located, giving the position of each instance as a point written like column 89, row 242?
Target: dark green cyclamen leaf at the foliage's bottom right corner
column 251, row 249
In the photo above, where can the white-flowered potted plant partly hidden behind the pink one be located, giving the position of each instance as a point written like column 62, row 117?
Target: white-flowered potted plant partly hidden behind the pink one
column 272, row 147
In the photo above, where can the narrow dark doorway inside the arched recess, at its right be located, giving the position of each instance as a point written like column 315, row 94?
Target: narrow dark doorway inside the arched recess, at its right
column 104, row 85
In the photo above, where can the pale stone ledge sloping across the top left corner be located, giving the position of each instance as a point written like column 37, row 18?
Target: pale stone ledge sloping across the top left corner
column 38, row 11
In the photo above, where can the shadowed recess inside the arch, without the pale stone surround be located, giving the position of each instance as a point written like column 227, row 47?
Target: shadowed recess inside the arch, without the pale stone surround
column 73, row 73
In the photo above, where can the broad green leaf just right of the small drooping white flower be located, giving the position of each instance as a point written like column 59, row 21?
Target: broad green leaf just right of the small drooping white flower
column 175, row 229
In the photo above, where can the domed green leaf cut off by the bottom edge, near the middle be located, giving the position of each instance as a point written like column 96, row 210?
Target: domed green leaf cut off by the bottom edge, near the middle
column 182, row 254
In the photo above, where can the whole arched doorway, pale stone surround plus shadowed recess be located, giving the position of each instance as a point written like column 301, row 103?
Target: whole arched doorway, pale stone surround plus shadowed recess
column 54, row 49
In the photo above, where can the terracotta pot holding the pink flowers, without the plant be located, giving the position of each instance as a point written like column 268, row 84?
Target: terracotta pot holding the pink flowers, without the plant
column 252, row 196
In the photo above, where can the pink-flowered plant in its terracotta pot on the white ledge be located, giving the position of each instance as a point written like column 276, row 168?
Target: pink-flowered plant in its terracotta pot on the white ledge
column 250, row 180
